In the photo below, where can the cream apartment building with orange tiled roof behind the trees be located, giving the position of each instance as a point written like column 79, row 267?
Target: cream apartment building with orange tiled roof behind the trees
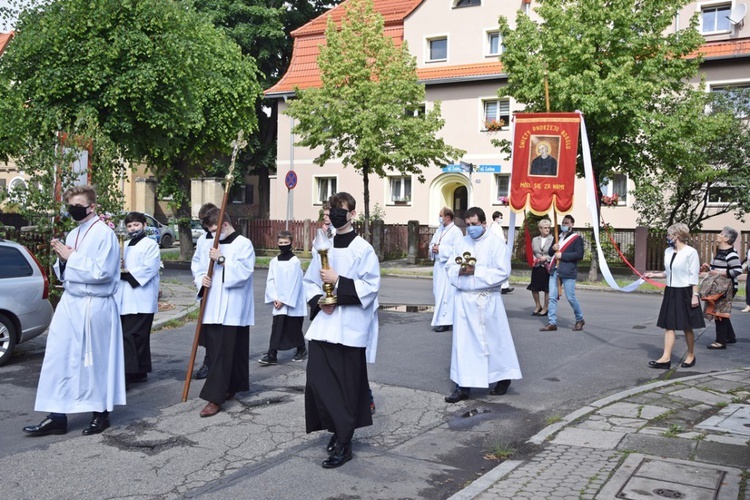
column 456, row 44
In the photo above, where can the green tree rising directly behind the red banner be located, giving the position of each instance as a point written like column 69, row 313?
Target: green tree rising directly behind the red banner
column 617, row 61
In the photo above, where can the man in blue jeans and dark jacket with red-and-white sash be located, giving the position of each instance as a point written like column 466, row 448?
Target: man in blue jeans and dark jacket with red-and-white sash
column 565, row 256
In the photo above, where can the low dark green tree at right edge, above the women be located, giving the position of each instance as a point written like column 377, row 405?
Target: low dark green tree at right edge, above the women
column 709, row 163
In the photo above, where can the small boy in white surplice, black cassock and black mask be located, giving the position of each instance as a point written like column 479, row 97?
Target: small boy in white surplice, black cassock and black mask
column 284, row 290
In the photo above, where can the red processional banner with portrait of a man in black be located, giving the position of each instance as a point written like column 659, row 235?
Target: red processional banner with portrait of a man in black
column 545, row 146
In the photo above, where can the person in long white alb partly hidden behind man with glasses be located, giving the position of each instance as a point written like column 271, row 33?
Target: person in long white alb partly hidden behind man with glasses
column 441, row 248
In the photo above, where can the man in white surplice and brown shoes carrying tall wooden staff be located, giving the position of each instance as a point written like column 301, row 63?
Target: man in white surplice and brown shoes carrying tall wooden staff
column 229, row 313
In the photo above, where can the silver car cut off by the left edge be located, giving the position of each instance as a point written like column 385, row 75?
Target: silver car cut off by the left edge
column 25, row 310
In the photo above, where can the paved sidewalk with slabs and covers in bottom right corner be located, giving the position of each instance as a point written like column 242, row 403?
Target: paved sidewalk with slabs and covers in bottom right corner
column 684, row 438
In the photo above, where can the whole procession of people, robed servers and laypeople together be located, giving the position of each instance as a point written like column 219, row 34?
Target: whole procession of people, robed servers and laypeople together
column 99, row 340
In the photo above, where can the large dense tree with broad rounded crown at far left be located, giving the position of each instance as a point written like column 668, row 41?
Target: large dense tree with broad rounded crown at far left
column 156, row 77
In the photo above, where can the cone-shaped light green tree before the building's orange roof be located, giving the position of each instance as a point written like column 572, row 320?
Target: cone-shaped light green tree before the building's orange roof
column 364, row 112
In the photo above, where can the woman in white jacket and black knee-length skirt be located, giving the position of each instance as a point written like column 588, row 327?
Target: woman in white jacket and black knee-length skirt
column 680, row 308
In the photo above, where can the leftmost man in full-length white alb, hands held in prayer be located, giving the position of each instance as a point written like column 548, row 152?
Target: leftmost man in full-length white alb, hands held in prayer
column 83, row 368
